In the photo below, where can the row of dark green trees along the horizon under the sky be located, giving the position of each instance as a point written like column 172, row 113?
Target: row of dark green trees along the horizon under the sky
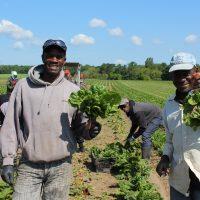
column 131, row 71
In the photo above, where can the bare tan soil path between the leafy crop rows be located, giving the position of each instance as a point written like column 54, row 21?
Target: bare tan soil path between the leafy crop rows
column 102, row 186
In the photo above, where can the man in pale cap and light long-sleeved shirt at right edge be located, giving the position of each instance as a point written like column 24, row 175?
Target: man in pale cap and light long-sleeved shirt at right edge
column 181, row 154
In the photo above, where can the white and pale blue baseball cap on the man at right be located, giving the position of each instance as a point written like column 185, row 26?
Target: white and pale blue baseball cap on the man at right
column 182, row 61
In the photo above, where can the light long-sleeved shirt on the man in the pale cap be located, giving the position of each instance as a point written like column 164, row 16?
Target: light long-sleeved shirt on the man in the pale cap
column 182, row 146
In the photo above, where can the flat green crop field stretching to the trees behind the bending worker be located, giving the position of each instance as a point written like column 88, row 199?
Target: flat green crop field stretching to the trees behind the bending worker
column 155, row 92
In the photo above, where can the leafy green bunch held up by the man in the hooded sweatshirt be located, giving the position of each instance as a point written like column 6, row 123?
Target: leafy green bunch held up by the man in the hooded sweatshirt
column 95, row 101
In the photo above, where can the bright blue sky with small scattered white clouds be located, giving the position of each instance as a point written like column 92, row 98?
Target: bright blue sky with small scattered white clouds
column 99, row 31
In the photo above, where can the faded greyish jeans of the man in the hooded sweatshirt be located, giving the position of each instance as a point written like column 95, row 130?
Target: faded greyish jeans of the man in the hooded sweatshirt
column 36, row 181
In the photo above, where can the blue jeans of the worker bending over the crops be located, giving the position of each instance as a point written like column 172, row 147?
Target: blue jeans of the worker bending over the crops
column 151, row 128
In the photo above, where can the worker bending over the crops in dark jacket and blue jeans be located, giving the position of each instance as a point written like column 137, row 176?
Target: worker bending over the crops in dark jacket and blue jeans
column 146, row 119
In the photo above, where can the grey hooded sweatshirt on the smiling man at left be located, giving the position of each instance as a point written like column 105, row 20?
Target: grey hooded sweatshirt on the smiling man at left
column 38, row 120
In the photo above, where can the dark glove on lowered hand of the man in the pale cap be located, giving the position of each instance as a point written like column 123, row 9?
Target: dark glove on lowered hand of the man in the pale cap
column 163, row 166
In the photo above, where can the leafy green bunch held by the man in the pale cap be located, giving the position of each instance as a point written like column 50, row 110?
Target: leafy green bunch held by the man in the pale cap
column 191, row 110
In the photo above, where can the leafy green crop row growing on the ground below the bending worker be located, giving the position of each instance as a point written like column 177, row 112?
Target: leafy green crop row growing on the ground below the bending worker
column 131, row 171
